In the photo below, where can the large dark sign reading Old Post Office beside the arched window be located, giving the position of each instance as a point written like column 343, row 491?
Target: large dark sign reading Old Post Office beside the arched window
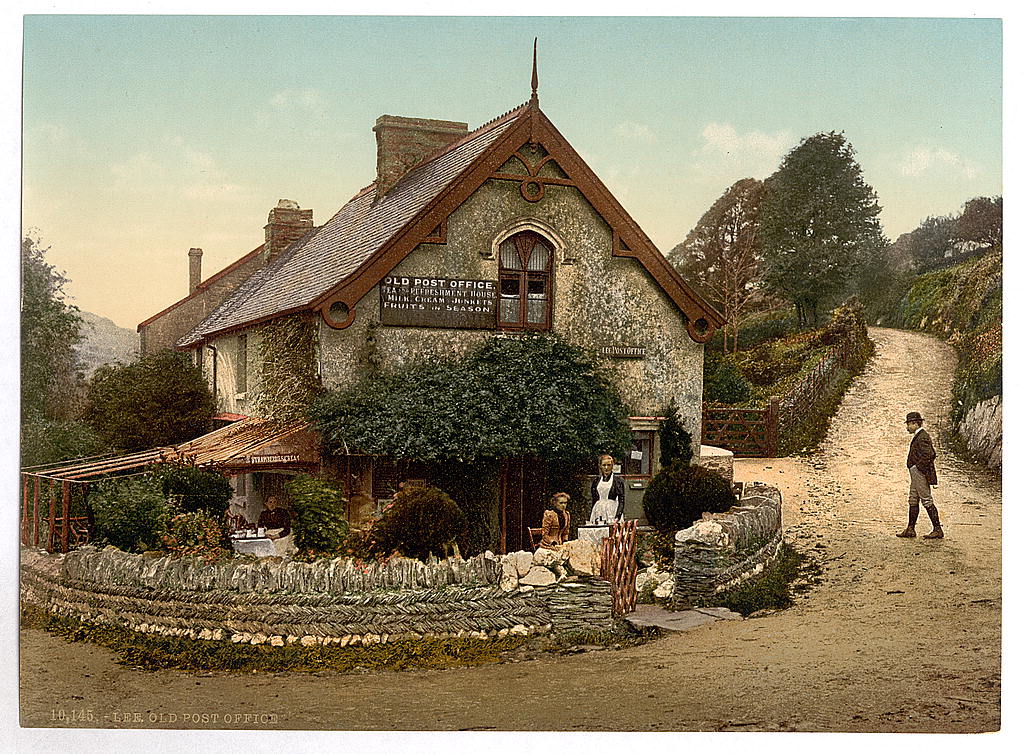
column 439, row 303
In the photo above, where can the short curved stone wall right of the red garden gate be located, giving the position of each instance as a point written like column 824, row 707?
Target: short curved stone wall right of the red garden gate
column 723, row 550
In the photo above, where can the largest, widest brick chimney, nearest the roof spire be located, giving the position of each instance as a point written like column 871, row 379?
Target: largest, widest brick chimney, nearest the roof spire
column 405, row 143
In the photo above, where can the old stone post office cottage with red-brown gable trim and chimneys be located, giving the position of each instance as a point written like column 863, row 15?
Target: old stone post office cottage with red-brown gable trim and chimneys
column 462, row 235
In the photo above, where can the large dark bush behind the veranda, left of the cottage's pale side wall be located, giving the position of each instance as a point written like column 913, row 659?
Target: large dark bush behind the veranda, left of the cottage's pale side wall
column 158, row 401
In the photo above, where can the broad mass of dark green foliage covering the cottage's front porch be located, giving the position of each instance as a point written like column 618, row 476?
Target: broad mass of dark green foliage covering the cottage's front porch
column 511, row 397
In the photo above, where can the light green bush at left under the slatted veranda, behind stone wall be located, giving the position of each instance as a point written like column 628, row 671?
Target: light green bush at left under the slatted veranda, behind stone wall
column 131, row 513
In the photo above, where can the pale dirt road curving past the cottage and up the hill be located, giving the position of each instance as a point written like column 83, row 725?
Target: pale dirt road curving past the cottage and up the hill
column 904, row 636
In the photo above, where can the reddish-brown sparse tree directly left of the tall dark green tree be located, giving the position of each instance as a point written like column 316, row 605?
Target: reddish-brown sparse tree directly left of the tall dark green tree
column 723, row 253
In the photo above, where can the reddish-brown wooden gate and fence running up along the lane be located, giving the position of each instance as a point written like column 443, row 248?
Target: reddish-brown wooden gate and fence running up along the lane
column 761, row 433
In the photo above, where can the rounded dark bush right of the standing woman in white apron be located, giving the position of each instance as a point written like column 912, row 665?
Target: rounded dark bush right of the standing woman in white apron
column 678, row 495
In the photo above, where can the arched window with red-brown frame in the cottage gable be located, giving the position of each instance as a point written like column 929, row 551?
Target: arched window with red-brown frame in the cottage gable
column 525, row 272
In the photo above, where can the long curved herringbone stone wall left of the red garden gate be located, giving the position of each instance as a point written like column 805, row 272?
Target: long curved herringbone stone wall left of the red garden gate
column 326, row 603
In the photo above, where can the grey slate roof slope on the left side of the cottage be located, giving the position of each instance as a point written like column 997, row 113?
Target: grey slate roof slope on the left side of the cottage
column 326, row 257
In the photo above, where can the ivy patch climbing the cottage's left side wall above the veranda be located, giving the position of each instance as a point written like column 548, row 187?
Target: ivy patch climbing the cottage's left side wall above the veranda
column 289, row 380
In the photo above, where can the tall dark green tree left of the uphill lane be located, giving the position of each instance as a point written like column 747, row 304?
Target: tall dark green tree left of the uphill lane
column 819, row 223
